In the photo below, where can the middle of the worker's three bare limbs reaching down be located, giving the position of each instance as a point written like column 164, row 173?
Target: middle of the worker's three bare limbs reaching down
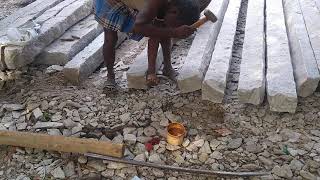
column 153, row 45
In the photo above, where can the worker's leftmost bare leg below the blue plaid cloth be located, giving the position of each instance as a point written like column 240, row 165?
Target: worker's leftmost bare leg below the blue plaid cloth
column 110, row 41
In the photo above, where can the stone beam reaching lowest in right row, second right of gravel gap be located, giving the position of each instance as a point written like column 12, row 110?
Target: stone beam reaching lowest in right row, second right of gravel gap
column 281, row 88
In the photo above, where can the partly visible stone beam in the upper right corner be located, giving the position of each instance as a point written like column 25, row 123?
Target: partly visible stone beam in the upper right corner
column 311, row 13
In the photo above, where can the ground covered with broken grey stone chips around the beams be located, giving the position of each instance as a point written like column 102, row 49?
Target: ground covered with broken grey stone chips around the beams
column 228, row 137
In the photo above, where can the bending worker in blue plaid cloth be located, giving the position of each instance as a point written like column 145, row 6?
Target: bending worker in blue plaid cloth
column 160, row 20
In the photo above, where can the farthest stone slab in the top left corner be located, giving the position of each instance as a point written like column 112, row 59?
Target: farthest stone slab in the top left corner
column 26, row 14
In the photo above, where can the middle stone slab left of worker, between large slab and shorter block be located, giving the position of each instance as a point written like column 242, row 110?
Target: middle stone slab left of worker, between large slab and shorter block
column 70, row 43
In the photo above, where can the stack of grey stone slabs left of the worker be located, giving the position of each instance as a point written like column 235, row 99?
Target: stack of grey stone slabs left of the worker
column 68, row 36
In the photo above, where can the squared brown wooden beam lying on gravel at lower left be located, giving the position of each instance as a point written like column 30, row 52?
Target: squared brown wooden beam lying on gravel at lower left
column 60, row 143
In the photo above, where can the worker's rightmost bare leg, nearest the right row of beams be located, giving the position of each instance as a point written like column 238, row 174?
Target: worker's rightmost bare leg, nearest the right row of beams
column 167, row 69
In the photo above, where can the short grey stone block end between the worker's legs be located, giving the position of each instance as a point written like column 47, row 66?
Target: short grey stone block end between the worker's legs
column 136, row 75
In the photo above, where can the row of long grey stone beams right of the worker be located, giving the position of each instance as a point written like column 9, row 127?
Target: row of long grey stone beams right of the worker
column 280, row 58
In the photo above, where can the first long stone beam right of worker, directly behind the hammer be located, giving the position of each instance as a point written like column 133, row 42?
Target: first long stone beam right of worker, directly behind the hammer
column 199, row 56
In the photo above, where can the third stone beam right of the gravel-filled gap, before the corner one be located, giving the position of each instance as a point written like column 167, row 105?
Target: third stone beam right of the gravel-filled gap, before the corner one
column 305, row 67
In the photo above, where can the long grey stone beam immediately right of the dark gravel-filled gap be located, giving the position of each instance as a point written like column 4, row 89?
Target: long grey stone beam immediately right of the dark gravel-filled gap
column 251, row 87
